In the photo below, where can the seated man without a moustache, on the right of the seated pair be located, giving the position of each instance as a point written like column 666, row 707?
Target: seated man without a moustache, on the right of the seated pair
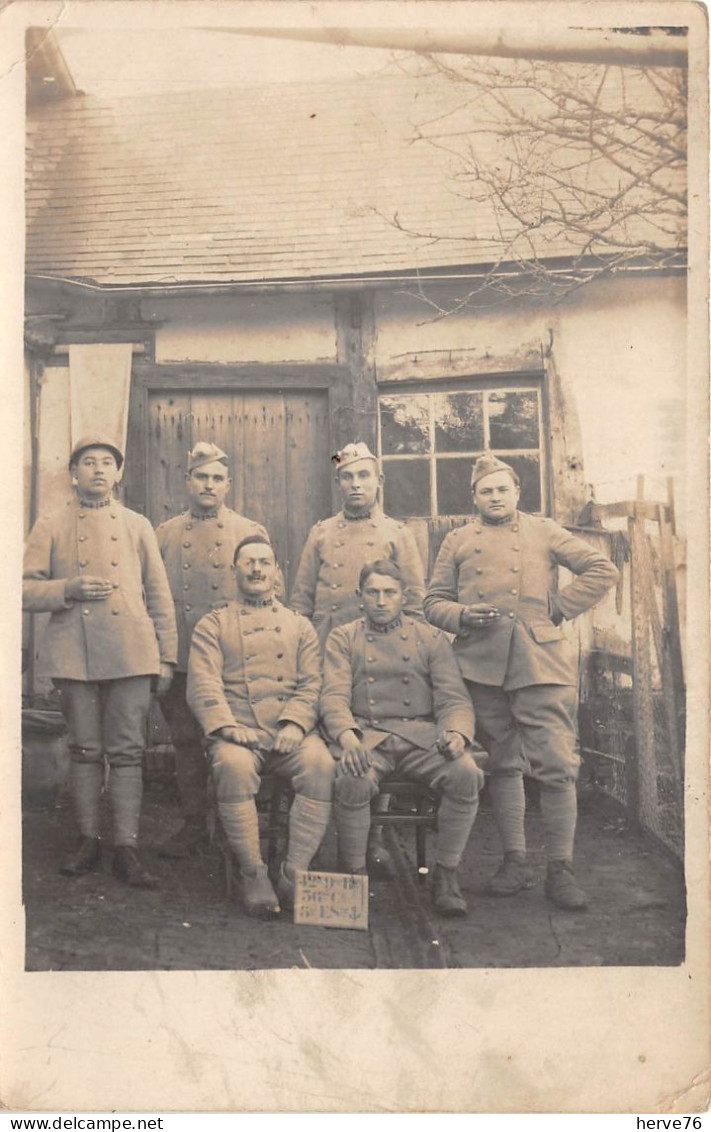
column 395, row 701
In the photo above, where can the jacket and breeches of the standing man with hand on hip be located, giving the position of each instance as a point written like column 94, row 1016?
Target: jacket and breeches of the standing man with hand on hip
column 521, row 671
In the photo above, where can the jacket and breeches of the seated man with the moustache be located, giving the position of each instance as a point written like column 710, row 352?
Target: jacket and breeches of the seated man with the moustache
column 259, row 665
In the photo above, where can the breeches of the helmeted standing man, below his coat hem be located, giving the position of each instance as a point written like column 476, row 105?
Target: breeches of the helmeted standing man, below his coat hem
column 107, row 718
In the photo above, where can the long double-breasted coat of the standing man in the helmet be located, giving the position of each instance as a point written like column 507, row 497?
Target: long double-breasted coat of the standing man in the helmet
column 129, row 634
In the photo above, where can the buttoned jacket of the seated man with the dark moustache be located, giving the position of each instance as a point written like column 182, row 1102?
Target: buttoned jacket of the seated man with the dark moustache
column 254, row 665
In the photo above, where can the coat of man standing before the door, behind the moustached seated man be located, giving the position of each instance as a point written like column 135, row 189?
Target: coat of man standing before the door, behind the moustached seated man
column 199, row 554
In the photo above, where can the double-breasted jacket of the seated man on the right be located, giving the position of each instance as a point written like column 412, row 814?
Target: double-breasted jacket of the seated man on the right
column 404, row 681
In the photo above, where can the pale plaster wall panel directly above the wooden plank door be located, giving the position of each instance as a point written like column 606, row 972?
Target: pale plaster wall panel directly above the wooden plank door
column 244, row 329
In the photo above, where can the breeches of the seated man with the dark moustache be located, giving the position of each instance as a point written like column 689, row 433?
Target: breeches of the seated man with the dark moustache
column 236, row 770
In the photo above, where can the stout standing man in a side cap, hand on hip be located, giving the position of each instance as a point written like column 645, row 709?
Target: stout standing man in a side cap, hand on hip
column 494, row 586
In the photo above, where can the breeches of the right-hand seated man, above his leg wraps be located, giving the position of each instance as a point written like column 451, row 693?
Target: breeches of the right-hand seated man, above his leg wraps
column 459, row 779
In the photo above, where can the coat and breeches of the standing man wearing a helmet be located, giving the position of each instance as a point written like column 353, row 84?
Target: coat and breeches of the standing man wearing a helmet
column 107, row 649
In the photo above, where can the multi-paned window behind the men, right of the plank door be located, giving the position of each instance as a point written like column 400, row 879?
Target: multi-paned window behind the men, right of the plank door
column 429, row 442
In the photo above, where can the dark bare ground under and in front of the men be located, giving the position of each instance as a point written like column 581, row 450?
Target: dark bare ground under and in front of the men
column 637, row 912
